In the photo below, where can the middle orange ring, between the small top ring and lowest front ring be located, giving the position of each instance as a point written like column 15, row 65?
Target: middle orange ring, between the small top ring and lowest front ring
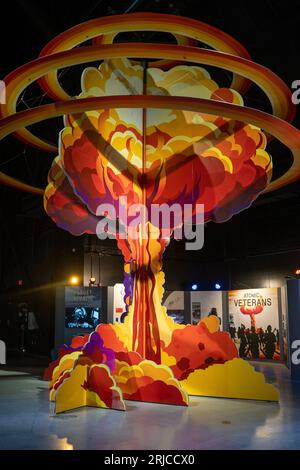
column 276, row 90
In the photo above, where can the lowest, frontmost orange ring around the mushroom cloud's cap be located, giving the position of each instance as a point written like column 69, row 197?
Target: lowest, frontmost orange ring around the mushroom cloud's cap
column 280, row 129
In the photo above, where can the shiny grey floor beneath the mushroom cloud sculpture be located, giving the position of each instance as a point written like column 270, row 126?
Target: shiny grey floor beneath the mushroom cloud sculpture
column 208, row 423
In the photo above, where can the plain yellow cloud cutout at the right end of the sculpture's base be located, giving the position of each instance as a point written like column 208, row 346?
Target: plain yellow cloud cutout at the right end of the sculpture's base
column 233, row 379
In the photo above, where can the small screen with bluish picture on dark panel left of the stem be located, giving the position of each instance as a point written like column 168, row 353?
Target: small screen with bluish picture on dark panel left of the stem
column 82, row 317
